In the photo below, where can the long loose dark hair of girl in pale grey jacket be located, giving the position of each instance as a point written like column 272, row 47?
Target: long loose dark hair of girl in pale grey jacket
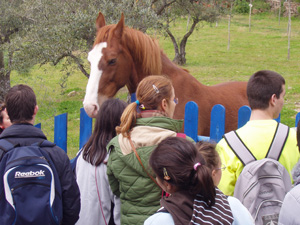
column 107, row 119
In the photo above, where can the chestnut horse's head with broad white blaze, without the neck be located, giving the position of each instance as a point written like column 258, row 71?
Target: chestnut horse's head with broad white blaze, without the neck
column 111, row 65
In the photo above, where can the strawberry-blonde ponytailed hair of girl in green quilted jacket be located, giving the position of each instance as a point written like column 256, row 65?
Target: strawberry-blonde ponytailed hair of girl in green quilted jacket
column 150, row 92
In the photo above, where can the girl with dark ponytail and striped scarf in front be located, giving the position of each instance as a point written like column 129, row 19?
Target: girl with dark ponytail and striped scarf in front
column 194, row 199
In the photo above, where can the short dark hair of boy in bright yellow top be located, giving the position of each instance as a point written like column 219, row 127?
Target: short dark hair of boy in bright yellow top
column 261, row 86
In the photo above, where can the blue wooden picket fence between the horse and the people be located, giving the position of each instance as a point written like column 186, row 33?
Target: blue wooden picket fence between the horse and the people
column 217, row 127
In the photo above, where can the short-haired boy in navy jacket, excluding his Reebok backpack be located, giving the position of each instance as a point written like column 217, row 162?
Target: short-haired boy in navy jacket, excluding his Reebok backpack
column 22, row 108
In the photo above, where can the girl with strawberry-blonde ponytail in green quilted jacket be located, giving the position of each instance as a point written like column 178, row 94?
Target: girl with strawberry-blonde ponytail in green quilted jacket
column 141, row 129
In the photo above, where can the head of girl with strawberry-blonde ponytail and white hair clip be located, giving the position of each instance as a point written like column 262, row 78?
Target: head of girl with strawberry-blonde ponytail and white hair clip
column 153, row 93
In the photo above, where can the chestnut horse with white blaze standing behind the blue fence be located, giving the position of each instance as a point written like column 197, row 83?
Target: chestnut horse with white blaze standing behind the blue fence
column 122, row 56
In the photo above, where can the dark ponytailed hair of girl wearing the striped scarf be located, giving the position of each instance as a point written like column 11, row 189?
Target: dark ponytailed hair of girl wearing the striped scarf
column 178, row 156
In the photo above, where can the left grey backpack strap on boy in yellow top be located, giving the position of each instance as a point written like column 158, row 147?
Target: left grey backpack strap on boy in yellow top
column 239, row 148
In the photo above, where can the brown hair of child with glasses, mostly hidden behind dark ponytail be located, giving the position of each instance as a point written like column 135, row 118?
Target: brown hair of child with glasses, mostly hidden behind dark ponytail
column 209, row 153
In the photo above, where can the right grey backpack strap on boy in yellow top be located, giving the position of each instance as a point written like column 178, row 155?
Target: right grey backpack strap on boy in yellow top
column 278, row 142
